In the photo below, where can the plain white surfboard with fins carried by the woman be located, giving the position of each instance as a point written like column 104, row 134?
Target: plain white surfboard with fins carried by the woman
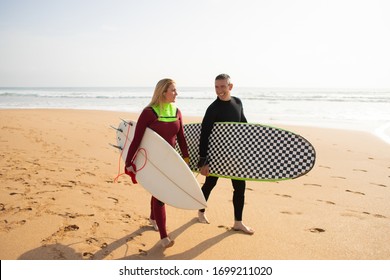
column 162, row 171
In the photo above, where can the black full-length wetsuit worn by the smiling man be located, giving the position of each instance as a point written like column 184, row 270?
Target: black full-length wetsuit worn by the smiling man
column 222, row 111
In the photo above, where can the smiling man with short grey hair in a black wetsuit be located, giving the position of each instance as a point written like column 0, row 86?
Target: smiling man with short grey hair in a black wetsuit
column 225, row 108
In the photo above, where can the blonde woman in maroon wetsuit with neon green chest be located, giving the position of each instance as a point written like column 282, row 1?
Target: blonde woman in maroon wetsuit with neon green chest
column 166, row 120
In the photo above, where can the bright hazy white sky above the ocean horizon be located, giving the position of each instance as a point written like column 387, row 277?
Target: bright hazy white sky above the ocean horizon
column 265, row 43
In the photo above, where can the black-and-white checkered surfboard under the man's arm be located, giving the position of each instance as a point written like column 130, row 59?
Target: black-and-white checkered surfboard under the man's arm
column 252, row 152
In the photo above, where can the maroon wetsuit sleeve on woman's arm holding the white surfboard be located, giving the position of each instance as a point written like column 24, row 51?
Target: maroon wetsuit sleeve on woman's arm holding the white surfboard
column 145, row 119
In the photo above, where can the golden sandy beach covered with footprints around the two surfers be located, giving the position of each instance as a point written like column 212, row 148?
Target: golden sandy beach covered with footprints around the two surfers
column 58, row 199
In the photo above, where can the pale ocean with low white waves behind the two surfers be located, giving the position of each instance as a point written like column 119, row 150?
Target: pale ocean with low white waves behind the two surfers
column 355, row 109
